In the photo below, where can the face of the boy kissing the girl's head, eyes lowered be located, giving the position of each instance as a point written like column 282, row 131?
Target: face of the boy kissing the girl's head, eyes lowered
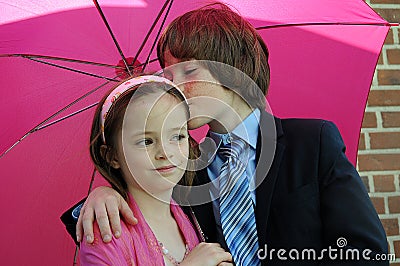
column 208, row 100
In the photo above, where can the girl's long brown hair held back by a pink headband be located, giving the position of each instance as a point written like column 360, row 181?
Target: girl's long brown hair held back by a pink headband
column 112, row 127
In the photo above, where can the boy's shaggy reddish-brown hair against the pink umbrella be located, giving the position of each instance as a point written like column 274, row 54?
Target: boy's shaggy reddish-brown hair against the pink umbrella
column 216, row 33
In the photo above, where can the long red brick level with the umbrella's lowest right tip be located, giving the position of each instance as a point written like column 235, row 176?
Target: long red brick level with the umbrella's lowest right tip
column 378, row 162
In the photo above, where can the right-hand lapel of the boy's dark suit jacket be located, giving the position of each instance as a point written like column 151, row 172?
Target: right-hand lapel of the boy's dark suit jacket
column 269, row 154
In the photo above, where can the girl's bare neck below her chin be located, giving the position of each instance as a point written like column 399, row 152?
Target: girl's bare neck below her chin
column 153, row 207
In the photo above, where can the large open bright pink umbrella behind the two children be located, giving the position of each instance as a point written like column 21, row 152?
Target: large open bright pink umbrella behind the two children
column 58, row 60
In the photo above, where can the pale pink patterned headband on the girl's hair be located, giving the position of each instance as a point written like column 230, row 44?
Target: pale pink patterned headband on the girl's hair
column 128, row 84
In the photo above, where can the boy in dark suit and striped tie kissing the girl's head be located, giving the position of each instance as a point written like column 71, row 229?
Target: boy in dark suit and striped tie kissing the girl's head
column 304, row 193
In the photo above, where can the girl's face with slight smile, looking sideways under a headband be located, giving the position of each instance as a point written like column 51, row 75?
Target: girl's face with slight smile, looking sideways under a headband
column 153, row 148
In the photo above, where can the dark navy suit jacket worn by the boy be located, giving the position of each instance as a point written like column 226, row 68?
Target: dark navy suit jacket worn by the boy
column 309, row 196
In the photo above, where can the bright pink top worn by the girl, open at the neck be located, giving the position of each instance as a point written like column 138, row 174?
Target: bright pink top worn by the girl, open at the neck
column 137, row 244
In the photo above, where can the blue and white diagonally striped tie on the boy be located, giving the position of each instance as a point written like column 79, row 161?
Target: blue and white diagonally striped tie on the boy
column 236, row 207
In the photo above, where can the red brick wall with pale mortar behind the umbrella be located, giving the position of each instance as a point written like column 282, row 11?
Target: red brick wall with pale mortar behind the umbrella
column 379, row 147
